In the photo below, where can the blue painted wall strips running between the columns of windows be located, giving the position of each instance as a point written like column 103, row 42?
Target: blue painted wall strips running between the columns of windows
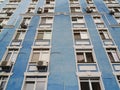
column 62, row 61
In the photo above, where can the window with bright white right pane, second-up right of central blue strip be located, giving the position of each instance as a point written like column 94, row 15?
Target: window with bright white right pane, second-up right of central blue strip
column 81, row 37
